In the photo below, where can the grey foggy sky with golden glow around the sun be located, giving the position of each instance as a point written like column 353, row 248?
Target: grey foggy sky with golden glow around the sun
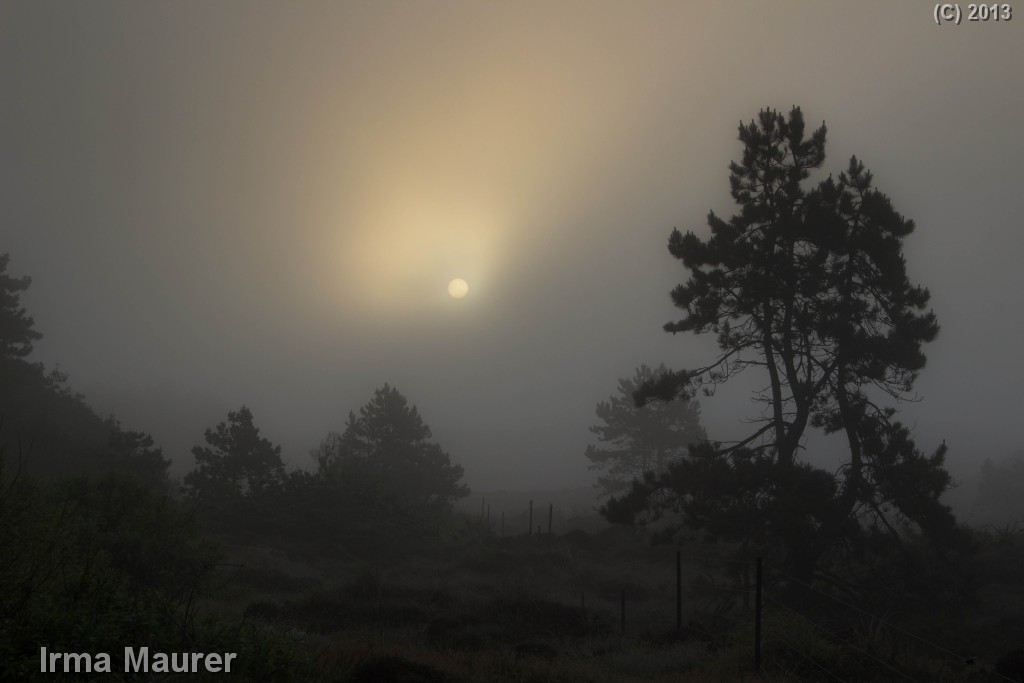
column 264, row 203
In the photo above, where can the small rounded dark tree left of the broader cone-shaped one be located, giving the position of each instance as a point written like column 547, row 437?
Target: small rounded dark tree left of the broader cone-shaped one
column 237, row 462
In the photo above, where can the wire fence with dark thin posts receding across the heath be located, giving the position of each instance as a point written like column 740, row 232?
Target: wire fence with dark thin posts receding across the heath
column 807, row 632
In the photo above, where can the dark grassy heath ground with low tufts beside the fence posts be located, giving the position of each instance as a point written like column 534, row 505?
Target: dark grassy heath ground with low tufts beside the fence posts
column 489, row 610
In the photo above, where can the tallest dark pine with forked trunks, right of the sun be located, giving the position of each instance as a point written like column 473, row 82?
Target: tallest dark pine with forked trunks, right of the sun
column 808, row 287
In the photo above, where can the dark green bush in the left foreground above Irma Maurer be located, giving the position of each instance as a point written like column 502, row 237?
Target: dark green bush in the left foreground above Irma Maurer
column 91, row 567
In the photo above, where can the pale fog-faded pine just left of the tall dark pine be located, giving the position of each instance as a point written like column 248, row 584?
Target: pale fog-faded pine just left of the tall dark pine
column 641, row 440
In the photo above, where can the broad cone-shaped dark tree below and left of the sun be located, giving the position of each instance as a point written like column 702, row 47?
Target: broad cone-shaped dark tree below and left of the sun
column 388, row 449
